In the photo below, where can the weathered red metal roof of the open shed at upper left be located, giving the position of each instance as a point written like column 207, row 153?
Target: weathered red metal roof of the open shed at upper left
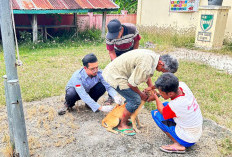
column 62, row 4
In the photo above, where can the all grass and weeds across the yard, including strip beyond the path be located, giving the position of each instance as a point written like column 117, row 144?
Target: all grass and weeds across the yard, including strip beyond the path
column 49, row 65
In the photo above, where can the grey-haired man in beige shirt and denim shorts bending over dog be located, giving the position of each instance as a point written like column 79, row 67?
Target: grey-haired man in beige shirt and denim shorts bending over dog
column 129, row 70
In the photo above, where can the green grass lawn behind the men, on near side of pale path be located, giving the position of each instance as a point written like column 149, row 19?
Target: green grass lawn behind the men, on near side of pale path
column 45, row 72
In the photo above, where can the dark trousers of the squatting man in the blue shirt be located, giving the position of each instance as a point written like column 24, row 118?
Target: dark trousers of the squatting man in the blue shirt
column 95, row 93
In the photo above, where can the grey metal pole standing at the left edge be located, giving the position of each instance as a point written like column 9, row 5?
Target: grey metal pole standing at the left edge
column 13, row 94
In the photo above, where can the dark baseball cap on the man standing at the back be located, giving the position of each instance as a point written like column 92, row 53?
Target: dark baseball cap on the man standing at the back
column 114, row 26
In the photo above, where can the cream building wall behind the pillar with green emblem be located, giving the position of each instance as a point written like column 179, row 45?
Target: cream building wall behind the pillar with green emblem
column 156, row 13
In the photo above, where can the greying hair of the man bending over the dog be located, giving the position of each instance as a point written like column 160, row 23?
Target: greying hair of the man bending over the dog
column 170, row 63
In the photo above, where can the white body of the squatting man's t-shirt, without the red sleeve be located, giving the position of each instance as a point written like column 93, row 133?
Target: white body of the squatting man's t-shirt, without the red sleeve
column 188, row 115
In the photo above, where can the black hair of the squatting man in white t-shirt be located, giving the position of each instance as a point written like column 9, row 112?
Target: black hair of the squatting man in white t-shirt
column 167, row 82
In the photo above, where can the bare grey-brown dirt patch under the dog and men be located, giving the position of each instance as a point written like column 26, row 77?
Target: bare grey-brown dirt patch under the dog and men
column 80, row 133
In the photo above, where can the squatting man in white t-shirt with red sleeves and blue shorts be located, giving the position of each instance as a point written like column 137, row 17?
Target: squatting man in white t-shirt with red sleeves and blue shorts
column 180, row 119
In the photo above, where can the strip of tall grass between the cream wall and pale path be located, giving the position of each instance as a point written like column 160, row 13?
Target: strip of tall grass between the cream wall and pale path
column 167, row 39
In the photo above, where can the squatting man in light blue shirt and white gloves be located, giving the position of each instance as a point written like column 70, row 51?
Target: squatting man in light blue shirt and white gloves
column 87, row 84
